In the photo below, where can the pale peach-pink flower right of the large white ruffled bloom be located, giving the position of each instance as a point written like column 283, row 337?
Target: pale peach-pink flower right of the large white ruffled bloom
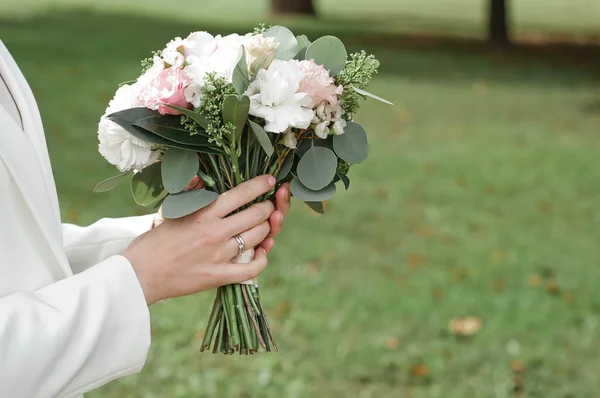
column 318, row 84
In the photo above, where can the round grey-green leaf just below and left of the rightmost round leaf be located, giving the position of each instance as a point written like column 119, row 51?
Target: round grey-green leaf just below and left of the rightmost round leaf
column 317, row 168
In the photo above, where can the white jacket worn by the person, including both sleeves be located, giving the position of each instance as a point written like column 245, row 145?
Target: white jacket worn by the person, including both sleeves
column 72, row 312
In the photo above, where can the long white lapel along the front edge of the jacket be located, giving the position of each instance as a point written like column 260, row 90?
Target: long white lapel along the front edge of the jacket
column 24, row 153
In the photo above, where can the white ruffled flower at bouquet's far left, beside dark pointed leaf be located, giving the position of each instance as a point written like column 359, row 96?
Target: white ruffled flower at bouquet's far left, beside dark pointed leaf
column 116, row 144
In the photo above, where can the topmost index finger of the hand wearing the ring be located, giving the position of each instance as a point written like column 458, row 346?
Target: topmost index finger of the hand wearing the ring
column 242, row 194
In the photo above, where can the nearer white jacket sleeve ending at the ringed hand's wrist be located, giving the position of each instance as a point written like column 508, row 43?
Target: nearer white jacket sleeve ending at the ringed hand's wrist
column 74, row 335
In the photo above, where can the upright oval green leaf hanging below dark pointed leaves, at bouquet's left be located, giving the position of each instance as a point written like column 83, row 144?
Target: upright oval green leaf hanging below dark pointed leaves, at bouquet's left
column 178, row 169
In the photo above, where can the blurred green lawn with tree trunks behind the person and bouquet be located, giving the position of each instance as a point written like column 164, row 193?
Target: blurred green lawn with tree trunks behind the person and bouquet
column 464, row 260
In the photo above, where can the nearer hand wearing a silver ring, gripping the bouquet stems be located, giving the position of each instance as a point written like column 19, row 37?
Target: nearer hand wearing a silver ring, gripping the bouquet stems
column 193, row 253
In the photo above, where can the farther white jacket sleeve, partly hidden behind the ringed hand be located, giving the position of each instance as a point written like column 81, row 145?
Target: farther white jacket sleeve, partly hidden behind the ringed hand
column 86, row 246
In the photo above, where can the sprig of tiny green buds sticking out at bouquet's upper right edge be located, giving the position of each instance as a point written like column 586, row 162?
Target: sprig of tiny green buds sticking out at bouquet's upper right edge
column 358, row 72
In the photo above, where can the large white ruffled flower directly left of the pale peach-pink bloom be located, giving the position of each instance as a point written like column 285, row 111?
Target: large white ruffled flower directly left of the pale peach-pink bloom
column 274, row 97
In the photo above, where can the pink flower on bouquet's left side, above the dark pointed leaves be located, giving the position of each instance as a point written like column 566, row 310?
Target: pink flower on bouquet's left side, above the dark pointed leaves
column 166, row 88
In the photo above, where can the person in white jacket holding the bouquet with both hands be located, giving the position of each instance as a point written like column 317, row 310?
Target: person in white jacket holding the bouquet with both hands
column 74, row 300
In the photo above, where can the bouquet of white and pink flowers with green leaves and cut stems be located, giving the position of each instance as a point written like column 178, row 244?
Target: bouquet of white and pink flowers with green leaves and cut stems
column 225, row 109
